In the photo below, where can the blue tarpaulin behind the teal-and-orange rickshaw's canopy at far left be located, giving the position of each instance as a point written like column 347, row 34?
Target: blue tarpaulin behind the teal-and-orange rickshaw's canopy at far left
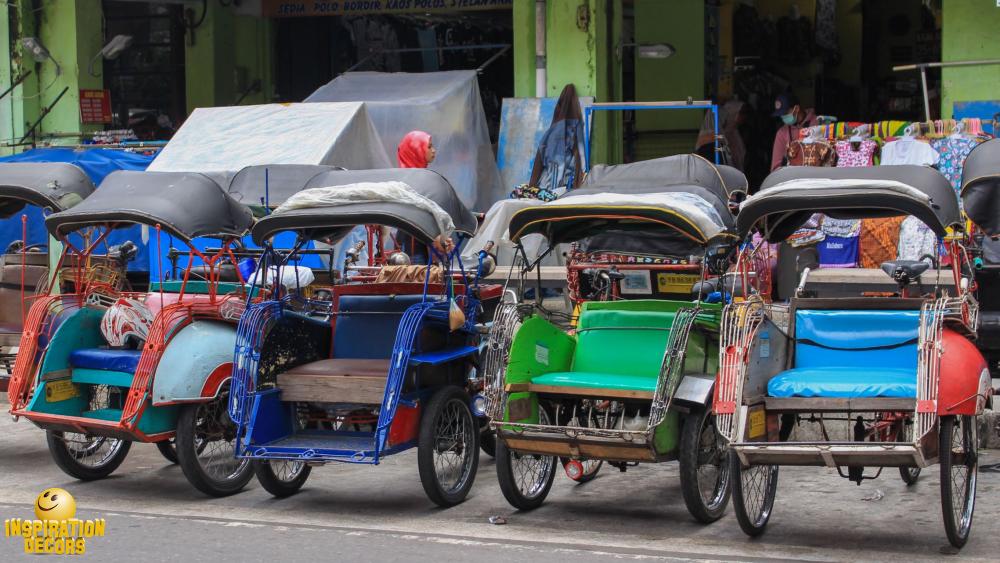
column 96, row 163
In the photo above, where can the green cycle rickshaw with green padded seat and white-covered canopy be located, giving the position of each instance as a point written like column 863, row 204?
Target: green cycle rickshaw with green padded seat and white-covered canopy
column 632, row 381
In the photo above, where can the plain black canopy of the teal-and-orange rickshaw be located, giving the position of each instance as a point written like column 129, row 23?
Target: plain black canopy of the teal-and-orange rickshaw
column 185, row 204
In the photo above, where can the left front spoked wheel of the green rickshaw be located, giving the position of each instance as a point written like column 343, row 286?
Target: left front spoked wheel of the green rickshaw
column 525, row 479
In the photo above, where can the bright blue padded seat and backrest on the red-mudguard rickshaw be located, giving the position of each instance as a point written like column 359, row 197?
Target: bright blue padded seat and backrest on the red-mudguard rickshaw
column 852, row 354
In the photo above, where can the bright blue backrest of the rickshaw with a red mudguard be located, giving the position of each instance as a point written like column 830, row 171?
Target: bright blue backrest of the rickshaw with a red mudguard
column 856, row 338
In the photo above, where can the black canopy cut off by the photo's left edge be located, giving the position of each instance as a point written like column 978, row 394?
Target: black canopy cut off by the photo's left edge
column 52, row 185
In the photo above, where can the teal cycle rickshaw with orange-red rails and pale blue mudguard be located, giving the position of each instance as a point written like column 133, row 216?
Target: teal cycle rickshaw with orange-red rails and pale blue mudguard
column 100, row 368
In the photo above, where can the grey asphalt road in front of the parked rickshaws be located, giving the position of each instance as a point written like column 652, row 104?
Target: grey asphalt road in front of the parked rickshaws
column 361, row 513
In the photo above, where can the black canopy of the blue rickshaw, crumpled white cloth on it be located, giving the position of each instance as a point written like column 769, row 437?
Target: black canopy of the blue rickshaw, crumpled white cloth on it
column 334, row 222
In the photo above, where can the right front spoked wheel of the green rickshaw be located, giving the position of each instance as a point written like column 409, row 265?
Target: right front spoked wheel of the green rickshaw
column 704, row 468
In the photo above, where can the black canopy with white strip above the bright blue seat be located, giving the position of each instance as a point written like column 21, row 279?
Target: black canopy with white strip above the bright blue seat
column 791, row 195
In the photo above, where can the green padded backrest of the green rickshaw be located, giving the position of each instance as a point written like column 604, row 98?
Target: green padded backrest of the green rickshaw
column 622, row 342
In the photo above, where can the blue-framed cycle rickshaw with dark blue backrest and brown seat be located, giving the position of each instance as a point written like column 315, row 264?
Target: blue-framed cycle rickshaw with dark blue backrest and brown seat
column 356, row 372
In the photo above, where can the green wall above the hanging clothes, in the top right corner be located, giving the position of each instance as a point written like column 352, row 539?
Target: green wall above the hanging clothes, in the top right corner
column 969, row 32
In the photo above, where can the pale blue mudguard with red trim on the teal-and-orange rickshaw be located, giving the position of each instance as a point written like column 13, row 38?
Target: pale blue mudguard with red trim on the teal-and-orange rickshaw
column 197, row 360
